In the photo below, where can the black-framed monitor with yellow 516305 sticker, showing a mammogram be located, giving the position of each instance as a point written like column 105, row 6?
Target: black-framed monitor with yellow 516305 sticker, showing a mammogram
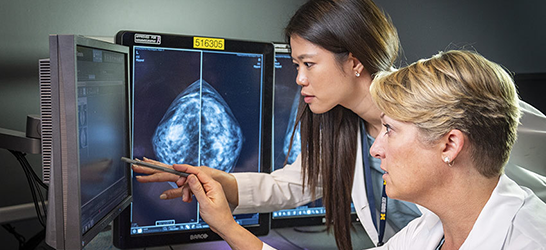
column 199, row 101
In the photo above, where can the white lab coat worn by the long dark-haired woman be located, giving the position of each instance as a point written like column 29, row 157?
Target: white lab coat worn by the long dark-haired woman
column 282, row 189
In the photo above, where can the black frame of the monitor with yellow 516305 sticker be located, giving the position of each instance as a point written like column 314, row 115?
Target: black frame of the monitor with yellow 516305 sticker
column 121, row 230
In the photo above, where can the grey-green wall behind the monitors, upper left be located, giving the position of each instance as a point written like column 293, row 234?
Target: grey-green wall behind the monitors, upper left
column 26, row 25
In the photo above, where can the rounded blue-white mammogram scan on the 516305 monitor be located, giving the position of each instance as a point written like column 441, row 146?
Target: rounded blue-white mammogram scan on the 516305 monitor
column 199, row 128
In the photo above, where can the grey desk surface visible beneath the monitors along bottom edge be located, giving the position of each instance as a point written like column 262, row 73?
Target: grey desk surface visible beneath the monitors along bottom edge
column 280, row 238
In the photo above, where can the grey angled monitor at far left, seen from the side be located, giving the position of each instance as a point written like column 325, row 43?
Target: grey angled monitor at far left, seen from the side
column 84, row 105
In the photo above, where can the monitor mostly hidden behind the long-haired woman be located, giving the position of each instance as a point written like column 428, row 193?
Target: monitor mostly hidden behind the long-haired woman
column 287, row 94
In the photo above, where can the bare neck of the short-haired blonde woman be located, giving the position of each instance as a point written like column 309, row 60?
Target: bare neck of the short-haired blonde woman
column 468, row 195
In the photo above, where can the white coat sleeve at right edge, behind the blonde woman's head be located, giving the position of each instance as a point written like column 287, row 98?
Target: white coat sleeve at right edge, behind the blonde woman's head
column 527, row 164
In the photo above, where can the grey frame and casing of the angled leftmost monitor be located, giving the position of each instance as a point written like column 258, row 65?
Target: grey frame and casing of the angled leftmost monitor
column 64, row 225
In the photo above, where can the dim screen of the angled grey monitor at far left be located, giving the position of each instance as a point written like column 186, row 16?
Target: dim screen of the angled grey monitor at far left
column 102, row 131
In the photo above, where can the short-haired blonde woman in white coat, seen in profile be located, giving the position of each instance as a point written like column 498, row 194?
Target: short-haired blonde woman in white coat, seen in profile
column 449, row 123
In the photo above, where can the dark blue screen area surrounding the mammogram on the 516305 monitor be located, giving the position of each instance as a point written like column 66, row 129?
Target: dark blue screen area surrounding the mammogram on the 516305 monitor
column 160, row 75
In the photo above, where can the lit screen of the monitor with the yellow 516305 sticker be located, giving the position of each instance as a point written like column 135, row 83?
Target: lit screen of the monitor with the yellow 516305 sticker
column 195, row 107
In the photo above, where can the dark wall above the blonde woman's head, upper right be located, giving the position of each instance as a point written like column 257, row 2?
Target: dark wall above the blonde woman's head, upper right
column 511, row 33
